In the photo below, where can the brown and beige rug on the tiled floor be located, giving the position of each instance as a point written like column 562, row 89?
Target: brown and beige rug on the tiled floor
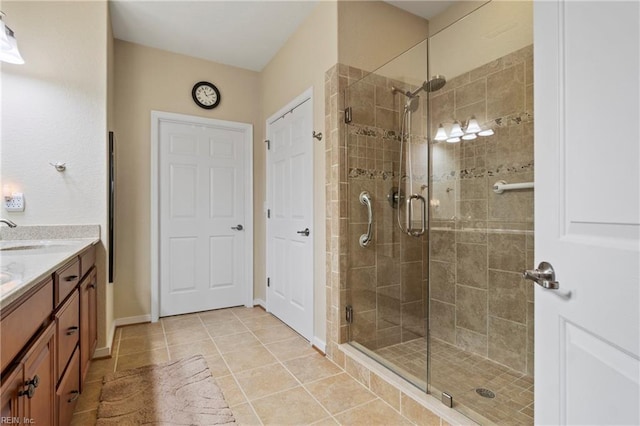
column 173, row 393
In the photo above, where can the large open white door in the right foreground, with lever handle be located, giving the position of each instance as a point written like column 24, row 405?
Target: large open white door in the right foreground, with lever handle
column 587, row 333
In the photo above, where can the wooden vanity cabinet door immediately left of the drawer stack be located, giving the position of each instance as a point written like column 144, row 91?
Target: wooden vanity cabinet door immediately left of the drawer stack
column 39, row 368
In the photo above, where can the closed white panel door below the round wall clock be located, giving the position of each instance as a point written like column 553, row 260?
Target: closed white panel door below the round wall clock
column 202, row 246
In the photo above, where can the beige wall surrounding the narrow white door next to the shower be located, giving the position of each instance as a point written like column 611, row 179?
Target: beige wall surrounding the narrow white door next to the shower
column 299, row 65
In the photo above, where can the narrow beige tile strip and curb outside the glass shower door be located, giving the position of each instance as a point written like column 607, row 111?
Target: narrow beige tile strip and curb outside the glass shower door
column 337, row 79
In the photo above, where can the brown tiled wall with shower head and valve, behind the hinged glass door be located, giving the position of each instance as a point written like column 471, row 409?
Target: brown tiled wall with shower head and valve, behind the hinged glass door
column 386, row 281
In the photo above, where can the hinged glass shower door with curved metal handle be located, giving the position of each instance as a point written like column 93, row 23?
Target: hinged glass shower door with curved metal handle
column 386, row 287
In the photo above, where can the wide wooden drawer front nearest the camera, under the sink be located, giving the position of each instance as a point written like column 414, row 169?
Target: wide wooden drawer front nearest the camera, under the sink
column 19, row 326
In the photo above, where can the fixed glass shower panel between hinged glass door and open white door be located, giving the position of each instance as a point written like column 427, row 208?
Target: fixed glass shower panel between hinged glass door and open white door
column 481, row 310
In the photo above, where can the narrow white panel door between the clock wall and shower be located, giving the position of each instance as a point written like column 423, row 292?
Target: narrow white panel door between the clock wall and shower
column 289, row 227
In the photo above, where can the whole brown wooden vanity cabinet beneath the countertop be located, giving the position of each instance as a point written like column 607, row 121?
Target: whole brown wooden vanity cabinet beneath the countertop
column 47, row 341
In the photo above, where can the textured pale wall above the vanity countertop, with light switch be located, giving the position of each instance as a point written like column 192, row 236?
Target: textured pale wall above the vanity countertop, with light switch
column 54, row 108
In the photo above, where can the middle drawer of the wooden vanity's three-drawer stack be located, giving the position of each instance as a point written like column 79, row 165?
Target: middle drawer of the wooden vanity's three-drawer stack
column 68, row 331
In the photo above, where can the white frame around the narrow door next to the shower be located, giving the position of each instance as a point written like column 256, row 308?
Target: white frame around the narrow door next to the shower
column 306, row 96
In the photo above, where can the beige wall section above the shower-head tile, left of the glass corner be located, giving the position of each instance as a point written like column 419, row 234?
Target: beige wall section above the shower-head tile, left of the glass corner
column 371, row 33
